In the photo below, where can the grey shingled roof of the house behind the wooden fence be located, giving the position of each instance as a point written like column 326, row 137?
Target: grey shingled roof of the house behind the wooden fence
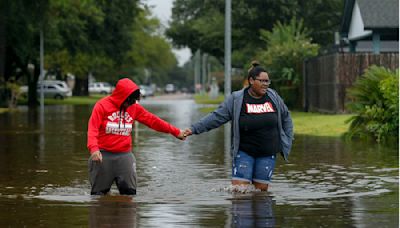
column 376, row 14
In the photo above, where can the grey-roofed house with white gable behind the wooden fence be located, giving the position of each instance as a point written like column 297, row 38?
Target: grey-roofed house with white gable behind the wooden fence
column 370, row 26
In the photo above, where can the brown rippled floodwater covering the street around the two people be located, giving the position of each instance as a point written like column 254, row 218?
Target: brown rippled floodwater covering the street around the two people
column 327, row 183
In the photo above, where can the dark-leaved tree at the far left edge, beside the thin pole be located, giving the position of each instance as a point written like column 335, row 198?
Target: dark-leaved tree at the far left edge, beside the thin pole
column 20, row 41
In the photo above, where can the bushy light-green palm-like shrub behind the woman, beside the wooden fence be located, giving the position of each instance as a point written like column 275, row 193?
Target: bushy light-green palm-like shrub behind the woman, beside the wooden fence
column 288, row 45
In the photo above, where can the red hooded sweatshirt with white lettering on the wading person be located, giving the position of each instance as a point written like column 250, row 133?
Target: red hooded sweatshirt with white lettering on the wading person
column 110, row 130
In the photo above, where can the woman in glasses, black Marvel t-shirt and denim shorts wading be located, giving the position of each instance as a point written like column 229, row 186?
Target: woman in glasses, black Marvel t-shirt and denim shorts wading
column 262, row 127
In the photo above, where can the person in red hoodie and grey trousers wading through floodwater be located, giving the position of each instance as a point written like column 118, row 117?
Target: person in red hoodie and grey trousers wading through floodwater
column 110, row 141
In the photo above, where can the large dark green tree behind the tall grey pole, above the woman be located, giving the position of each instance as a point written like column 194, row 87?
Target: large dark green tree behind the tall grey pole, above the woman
column 200, row 24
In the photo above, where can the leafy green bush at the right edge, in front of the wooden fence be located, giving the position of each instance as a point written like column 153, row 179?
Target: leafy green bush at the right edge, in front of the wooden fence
column 374, row 99
